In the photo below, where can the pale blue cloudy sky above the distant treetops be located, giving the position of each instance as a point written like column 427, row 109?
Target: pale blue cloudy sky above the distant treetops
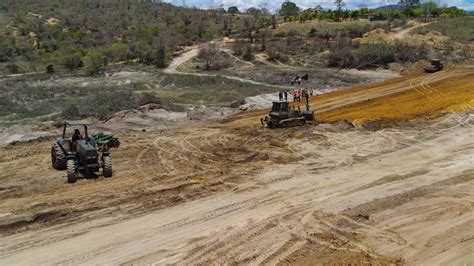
column 275, row 5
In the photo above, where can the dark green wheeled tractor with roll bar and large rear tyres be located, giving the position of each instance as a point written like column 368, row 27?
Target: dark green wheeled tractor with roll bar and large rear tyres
column 80, row 153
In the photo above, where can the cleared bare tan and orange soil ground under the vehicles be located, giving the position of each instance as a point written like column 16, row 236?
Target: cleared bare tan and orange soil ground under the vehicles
column 236, row 192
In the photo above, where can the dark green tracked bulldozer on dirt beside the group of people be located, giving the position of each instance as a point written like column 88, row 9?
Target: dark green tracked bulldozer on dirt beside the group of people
column 282, row 115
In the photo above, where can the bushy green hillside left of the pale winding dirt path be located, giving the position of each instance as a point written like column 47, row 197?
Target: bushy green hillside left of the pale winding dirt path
column 61, row 33
